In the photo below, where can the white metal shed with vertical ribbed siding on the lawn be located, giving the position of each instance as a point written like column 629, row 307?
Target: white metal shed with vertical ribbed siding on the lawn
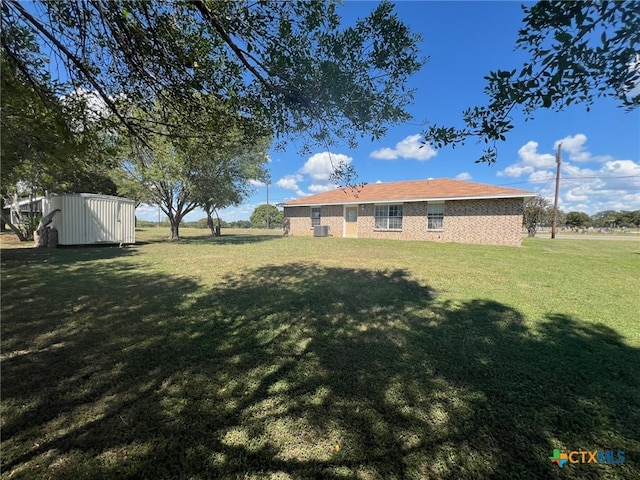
column 87, row 218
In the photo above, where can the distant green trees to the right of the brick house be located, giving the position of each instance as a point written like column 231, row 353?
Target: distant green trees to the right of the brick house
column 539, row 213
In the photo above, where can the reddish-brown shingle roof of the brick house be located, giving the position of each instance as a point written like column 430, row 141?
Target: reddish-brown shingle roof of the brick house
column 414, row 190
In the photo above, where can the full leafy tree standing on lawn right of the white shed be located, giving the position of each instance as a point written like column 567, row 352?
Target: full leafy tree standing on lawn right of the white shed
column 180, row 169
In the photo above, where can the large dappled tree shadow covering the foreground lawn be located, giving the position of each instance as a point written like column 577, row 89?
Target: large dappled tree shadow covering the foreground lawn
column 302, row 371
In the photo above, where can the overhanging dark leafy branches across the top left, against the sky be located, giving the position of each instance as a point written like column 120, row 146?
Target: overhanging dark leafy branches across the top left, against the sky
column 288, row 65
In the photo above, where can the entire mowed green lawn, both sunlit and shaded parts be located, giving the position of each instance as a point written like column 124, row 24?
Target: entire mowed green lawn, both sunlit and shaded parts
column 257, row 356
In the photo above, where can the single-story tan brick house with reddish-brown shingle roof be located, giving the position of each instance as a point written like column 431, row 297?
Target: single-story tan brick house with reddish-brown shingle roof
column 440, row 210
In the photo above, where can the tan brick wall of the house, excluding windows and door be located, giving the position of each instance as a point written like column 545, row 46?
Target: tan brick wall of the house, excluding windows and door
column 491, row 222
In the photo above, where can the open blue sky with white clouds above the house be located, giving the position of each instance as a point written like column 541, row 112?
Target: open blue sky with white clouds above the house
column 463, row 42
